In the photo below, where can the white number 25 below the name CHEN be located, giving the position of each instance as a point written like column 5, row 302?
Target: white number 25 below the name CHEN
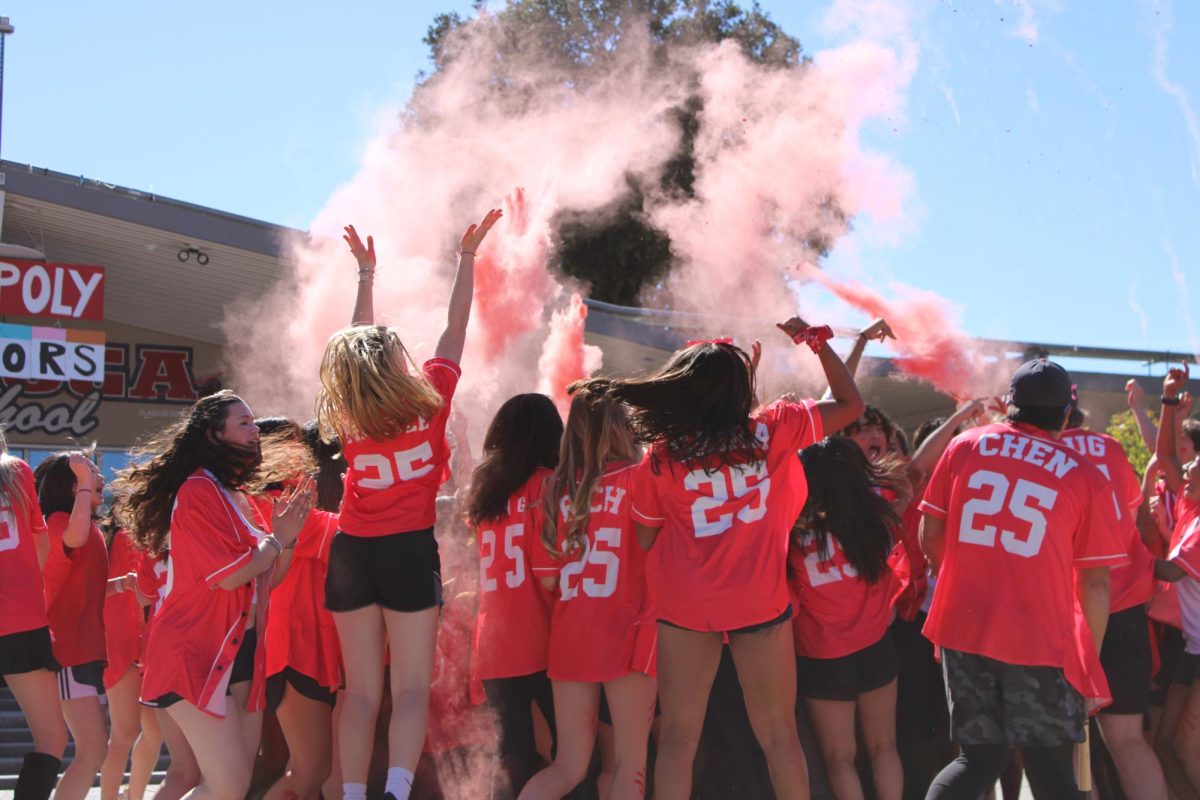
column 1028, row 502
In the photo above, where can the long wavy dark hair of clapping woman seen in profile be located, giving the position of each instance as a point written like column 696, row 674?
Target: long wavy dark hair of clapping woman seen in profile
column 146, row 492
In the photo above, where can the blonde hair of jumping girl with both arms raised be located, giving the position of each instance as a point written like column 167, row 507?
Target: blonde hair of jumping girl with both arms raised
column 370, row 387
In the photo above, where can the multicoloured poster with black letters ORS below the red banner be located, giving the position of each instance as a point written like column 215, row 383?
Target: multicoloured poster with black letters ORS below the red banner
column 51, row 354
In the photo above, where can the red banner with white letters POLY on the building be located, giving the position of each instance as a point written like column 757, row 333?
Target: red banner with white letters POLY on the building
column 44, row 290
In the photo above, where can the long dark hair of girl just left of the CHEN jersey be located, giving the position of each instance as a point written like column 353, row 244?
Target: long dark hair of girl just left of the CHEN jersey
column 845, row 503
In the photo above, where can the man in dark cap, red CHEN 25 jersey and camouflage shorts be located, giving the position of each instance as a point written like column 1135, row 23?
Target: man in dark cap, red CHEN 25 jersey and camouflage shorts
column 1021, row 531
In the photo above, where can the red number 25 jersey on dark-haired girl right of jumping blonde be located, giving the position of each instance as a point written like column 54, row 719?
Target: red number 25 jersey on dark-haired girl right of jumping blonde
column 513, row 625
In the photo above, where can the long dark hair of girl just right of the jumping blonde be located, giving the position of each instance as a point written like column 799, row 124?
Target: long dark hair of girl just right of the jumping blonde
column 524, row 436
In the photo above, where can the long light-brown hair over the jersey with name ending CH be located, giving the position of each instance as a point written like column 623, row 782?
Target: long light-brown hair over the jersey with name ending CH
column 597, row 434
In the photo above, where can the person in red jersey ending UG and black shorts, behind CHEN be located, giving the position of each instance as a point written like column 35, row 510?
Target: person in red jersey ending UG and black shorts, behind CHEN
column 1125, row 654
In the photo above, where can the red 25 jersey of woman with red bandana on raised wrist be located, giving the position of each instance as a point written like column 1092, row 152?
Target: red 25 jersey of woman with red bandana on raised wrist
column 721, row 560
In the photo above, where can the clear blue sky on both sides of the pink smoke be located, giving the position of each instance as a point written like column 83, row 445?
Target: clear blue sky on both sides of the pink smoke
column 1057, row 166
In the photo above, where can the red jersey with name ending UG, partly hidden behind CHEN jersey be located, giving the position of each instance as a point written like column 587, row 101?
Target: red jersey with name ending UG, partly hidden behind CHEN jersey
column 1131, row 585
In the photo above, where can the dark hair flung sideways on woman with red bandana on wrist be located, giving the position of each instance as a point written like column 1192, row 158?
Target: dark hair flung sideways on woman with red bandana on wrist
column 698, row 406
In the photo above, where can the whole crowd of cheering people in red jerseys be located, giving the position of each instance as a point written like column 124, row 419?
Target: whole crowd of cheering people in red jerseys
column 681, row 591
